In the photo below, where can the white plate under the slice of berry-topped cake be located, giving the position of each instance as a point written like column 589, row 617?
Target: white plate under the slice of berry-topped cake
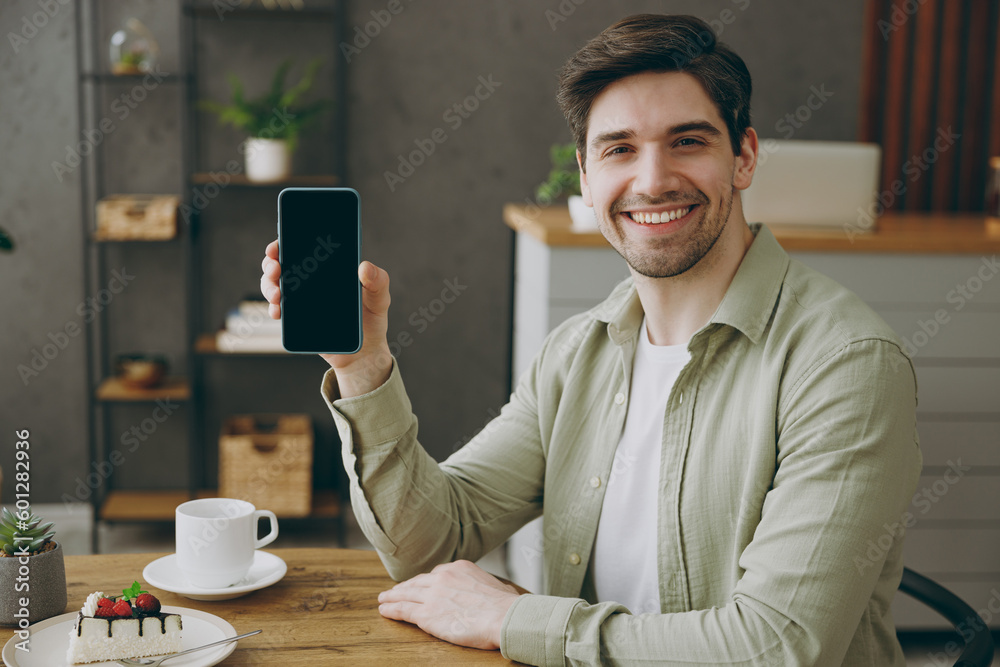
column 50, row 641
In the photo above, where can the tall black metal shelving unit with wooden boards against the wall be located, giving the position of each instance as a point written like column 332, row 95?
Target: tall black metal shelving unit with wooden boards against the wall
column 93, row 80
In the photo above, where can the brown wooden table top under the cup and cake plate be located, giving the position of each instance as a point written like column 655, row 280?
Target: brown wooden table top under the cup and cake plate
column 323, row 612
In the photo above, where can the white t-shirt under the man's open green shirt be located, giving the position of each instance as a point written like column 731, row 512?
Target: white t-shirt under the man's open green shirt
column 624, row 562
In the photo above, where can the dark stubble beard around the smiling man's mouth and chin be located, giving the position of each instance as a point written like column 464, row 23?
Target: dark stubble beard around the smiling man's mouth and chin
column 664, row 258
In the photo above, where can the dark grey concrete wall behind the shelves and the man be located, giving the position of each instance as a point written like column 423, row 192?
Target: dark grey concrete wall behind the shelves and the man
column 440, row 226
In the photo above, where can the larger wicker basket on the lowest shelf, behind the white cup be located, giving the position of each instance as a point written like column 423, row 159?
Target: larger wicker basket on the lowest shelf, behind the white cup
column 267, row 460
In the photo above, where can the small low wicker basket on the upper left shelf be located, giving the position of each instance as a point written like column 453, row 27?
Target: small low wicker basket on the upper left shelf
column 140, row 217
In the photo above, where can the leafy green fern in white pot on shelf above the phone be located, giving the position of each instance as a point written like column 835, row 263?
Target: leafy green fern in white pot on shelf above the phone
column 272, row 120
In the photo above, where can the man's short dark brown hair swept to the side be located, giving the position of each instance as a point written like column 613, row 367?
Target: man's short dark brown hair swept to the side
column 656, row 43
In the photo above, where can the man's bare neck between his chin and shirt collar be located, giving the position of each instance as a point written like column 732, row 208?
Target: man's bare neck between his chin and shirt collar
column 677, row 307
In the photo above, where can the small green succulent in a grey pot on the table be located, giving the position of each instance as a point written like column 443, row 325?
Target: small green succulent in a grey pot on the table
column 32, row 573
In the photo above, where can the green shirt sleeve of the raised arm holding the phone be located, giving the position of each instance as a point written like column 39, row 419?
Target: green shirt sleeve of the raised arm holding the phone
column 419, row 513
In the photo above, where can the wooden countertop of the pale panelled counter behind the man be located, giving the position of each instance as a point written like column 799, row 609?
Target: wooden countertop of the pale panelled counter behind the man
column 931, row 233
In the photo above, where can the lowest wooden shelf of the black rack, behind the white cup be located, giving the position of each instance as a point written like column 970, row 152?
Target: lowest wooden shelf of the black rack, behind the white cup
column 159, row 505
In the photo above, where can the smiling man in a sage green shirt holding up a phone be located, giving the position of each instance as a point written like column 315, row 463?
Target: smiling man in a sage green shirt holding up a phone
column 713, row 448
